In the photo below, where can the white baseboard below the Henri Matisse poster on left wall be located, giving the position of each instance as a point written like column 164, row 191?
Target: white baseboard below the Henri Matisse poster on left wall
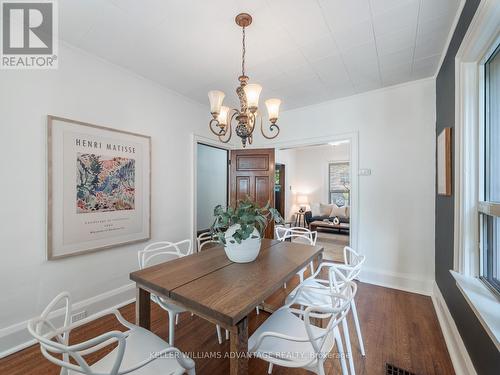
column 16, row 337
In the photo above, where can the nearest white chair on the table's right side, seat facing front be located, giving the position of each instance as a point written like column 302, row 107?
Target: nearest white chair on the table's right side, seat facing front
column 288, row 337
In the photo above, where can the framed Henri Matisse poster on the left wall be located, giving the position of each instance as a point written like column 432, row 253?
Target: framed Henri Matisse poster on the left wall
column 99, row 187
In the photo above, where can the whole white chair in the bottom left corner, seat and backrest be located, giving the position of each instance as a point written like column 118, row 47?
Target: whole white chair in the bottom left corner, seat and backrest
column 136, row 352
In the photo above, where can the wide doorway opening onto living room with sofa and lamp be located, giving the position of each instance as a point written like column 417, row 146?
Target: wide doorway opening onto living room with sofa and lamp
column 319, row 178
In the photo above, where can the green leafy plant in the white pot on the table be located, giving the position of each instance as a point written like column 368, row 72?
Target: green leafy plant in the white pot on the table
column 248, row 215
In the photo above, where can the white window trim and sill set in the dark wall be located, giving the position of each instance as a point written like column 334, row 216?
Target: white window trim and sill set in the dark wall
column 479, row 42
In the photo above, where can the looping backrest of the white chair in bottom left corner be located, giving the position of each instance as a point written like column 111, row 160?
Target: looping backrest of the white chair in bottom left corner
column 54, row 342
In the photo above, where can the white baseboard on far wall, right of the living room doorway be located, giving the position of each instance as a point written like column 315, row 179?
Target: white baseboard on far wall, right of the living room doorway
column 406, row 282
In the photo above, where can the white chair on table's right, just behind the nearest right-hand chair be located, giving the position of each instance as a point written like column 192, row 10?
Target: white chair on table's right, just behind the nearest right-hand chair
column 338, row 275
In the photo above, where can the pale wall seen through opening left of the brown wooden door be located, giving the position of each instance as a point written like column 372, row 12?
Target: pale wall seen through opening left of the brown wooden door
column 211, row 181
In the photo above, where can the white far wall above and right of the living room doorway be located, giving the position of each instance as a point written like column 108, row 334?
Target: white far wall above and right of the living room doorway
column 396, row 130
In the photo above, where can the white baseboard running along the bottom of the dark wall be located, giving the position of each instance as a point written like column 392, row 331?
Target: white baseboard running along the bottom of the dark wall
column 458, row 353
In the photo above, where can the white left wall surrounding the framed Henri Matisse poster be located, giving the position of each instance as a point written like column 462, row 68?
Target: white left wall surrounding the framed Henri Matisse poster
column 88, row 89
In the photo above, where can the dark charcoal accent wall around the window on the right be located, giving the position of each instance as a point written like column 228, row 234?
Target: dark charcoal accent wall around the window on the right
column 482, row 351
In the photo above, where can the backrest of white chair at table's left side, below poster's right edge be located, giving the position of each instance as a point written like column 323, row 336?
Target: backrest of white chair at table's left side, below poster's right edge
column 163, row 251
